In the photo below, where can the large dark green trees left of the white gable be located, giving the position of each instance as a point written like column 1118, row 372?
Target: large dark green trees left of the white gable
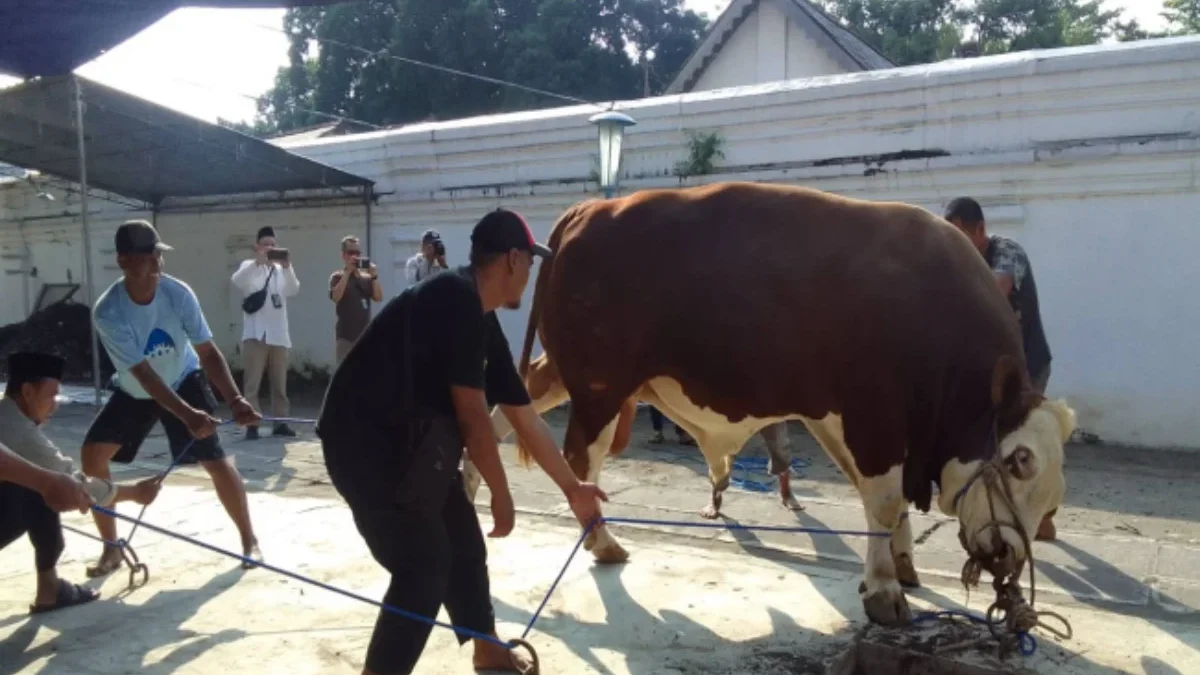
column 350, row 59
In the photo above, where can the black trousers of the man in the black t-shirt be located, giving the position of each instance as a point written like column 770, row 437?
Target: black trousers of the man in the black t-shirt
column 419, row 525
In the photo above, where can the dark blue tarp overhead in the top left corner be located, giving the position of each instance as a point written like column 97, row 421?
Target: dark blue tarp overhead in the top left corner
column 49, row 38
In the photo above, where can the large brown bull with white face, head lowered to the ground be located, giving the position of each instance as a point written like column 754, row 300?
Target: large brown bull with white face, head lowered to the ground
column 880, row 325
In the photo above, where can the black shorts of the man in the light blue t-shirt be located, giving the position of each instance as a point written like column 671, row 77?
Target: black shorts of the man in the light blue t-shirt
column 127, row 422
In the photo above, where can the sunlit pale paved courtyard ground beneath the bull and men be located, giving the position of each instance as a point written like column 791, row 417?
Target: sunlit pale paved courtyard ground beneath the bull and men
column 1126, row 572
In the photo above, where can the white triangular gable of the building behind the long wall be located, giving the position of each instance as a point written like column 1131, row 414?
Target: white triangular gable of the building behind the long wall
column 767, row 47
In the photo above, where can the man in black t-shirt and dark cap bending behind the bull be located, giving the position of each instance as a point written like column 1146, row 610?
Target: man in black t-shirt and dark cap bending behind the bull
column 412, row 393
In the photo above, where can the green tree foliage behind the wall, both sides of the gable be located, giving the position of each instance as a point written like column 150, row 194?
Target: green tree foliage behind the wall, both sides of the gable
column 349, row 59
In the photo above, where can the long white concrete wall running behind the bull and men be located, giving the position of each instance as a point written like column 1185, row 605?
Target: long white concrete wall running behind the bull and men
column 1089, row 157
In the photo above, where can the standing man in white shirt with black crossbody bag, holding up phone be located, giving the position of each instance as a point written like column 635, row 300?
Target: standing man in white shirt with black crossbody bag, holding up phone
column 267, row 282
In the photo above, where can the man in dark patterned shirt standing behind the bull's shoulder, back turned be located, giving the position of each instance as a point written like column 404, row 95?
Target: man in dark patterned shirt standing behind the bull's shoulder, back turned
column 1015, row 277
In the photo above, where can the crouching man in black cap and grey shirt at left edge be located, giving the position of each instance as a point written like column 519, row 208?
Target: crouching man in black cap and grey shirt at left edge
column 31, row 399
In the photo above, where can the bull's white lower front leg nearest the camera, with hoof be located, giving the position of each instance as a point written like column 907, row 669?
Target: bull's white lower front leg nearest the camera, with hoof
column 884, row 600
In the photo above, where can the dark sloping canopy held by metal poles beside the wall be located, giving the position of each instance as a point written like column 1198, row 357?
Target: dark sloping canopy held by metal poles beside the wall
column 145, row 151
